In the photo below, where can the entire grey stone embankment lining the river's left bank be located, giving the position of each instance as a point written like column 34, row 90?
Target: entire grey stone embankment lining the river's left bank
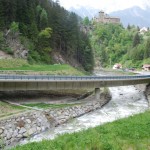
column 13, row 129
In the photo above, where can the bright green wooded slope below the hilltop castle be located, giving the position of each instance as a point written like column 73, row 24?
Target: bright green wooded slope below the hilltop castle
column 112, row 43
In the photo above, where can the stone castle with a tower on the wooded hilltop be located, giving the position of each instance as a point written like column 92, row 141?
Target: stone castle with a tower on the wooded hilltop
column 104, row 18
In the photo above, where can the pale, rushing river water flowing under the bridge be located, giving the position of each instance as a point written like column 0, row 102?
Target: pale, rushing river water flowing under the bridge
column 125, row 101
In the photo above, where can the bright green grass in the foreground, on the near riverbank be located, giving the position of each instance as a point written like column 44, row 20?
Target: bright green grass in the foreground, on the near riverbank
column 131, row 133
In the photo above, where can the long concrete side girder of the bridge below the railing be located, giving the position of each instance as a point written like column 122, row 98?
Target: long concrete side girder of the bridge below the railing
column 75, row 84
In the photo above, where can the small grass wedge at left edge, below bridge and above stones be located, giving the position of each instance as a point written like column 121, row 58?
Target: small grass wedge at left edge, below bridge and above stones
column 7, row 109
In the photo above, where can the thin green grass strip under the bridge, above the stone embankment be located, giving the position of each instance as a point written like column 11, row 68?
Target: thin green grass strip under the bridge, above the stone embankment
column 43, row 105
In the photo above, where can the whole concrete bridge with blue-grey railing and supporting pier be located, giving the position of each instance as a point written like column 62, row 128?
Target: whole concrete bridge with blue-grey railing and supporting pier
column 45, row 82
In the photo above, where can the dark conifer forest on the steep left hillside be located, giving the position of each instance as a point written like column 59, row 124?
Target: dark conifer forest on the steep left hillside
column 45, row 27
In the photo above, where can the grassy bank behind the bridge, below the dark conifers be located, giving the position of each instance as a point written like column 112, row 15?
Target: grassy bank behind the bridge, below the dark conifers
column 21, row 66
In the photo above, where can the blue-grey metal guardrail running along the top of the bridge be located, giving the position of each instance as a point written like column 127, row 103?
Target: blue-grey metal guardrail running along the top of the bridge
column 69, row 78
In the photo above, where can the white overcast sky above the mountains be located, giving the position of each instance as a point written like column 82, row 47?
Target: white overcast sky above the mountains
column 106, row 5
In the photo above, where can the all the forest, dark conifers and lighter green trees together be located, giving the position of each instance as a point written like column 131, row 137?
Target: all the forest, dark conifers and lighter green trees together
column 45, row 28
